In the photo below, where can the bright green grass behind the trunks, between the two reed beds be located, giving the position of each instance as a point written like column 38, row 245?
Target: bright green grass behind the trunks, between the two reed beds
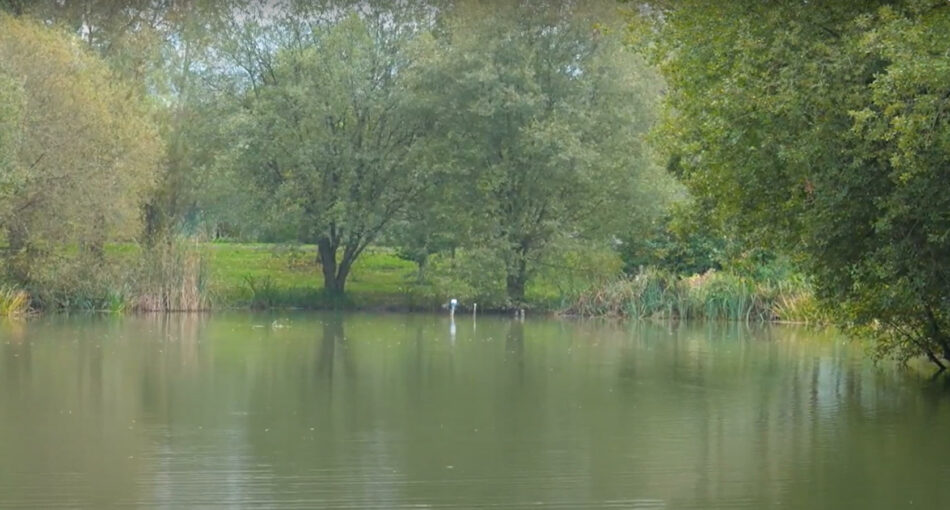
column 276, row 276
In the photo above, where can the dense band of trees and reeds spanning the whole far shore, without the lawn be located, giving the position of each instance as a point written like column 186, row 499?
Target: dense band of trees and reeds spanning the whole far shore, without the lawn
column 496, row 145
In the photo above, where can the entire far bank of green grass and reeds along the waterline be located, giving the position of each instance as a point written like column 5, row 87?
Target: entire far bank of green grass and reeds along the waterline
column 262, row 276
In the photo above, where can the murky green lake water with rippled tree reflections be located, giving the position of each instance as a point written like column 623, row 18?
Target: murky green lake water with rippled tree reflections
column 405, row 411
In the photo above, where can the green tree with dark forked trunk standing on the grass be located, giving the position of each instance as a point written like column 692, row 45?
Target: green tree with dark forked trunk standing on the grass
column 331, row 136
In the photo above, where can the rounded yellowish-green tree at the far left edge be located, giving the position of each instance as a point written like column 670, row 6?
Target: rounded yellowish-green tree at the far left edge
column 78, row 152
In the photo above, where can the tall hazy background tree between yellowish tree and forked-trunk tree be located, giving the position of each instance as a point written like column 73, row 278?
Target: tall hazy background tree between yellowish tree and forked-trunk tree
column 190, row 81
